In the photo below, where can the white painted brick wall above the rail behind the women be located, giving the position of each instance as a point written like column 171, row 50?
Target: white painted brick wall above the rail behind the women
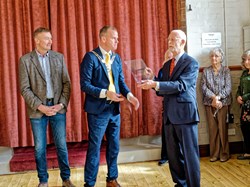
column 225, row 16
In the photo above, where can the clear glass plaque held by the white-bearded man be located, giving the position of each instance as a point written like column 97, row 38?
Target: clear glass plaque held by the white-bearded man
column 138, row 69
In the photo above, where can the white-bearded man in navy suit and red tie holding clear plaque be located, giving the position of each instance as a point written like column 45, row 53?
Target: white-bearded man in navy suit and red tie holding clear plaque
column 181, row 115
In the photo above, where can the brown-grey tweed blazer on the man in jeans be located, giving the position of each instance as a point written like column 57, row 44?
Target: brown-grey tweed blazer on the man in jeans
column 33, row 85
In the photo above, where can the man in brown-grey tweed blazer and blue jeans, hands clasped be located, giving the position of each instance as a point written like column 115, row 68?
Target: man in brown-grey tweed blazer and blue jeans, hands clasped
column 45, row 87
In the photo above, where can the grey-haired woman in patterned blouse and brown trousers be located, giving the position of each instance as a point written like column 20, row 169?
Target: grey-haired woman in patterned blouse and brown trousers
column 216, row 89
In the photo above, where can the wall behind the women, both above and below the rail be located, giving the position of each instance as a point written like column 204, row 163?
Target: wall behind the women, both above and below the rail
column 228, row 17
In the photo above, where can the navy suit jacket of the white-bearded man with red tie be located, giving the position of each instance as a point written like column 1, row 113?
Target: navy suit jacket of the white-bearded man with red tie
column 179, row 91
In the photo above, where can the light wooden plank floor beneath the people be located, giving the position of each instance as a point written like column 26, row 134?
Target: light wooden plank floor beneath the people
column 233, row 173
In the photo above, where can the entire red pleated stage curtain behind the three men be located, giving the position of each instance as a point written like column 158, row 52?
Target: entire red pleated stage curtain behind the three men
column 143, row 27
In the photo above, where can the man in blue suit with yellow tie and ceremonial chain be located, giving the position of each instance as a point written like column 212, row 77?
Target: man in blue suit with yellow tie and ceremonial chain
column 102, row 80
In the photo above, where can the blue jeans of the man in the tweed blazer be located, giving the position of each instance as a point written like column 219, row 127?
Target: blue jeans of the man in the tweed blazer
column 58, row 127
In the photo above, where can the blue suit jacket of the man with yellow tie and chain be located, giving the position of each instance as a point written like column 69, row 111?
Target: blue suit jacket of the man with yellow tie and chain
column 94, row 78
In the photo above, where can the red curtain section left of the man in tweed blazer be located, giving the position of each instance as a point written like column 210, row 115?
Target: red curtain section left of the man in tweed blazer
column 18, row 20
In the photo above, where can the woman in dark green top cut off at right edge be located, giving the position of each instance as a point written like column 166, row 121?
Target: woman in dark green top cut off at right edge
column 243, row 98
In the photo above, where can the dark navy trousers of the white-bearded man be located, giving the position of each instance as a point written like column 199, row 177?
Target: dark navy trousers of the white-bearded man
column 183, row 154
